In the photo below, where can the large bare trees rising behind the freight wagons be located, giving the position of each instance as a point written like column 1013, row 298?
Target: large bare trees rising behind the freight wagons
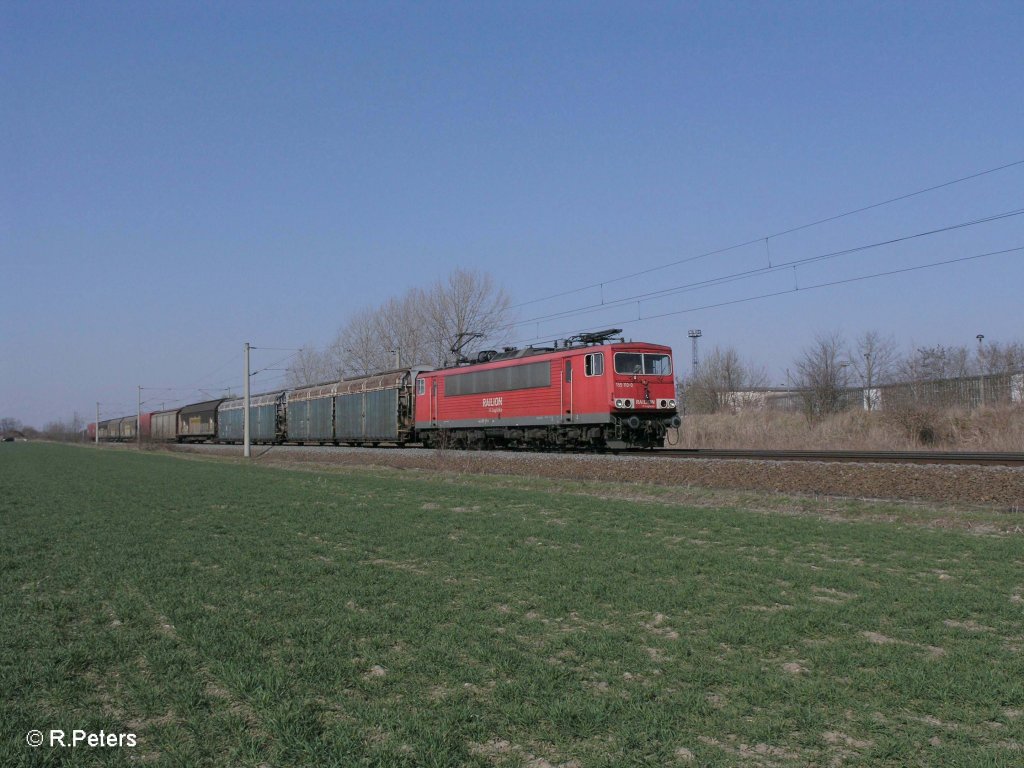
column 463, row 313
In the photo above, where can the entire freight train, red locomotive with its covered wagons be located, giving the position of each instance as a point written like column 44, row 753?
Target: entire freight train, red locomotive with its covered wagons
column 589, row 393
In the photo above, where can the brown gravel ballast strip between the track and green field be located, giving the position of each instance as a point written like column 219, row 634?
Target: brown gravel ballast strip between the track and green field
column 1001, row 487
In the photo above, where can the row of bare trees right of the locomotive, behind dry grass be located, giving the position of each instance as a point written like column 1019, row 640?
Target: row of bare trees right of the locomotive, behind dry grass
column 828, row 369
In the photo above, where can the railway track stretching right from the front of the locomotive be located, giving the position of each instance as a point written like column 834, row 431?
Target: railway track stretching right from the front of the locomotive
column 862, row 457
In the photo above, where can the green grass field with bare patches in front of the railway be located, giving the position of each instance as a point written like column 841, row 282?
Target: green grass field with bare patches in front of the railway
column 240, row 616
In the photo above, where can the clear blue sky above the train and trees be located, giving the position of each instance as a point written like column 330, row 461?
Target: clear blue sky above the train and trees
column 180, row 179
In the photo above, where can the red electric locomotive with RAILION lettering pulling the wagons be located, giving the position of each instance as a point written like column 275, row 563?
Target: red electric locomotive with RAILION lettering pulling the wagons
column 591, row 394
